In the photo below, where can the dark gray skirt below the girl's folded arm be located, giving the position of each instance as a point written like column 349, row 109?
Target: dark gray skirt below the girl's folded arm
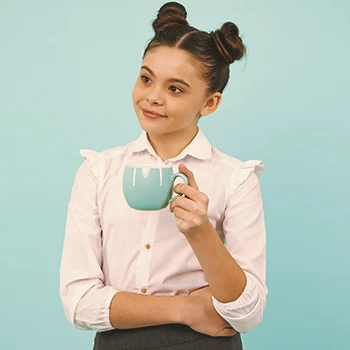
column 173, row 336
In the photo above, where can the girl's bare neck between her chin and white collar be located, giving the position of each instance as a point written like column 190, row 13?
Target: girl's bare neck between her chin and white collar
column 170, row 145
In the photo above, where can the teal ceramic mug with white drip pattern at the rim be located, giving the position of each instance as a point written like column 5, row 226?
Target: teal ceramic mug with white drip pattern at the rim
column 149, row 186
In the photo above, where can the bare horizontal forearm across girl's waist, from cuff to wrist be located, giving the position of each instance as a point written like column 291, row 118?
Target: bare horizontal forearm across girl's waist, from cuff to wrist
column 130, row 310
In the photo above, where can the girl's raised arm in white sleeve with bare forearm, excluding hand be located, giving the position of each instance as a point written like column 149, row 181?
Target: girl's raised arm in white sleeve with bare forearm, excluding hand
column 236, row 273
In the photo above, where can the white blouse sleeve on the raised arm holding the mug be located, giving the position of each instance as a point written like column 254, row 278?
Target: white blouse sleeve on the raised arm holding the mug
column 244, row 229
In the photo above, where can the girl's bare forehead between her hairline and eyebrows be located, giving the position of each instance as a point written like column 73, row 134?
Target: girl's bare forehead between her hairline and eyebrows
column 171, row 62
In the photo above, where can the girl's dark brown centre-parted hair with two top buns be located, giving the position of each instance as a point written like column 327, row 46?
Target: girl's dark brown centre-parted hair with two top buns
column 215, row 50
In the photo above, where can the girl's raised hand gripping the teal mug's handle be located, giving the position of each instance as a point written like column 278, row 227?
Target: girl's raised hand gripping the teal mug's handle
column 190, row 211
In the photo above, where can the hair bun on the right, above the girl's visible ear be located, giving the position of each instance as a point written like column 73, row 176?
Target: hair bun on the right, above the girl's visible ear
column 229, row 43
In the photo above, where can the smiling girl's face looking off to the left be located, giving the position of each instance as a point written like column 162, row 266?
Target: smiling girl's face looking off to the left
column 169, row 84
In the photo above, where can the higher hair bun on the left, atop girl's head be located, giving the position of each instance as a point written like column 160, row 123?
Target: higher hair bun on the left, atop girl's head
column 171, row 14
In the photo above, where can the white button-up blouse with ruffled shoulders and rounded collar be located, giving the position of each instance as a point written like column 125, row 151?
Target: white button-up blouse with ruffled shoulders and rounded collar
column 109, row 247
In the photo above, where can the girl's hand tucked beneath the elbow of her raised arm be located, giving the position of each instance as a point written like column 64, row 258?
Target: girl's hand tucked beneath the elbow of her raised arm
column 202, row 316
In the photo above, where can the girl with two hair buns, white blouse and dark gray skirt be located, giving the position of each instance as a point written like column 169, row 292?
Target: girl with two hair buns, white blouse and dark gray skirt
column 192, row 275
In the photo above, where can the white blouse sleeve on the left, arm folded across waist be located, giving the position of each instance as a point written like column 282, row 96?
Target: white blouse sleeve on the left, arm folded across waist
column 85, row 298
